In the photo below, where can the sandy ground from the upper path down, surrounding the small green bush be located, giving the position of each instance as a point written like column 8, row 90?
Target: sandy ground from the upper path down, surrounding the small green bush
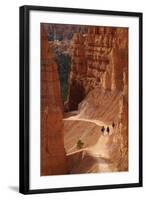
column 94, row 156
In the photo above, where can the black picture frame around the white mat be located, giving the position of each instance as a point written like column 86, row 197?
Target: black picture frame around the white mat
column 24, row 173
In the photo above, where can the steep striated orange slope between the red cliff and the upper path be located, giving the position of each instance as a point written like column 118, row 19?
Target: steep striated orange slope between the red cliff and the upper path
column 101, row 104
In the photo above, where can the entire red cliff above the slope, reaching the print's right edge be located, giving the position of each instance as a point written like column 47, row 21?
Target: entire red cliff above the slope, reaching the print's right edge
column 99, row 58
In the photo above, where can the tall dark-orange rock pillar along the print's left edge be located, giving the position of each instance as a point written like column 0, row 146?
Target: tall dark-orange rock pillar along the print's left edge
column 53, row 157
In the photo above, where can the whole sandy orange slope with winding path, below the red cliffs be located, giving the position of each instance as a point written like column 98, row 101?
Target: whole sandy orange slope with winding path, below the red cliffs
column 101, row 150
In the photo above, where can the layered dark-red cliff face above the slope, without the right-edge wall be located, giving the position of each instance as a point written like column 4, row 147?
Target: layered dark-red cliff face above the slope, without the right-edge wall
column 91, row 63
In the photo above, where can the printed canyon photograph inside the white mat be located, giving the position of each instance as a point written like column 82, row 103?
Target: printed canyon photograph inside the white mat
column 84, row 99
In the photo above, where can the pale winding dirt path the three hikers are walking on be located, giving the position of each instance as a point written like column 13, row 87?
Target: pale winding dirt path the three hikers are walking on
column 98, row 152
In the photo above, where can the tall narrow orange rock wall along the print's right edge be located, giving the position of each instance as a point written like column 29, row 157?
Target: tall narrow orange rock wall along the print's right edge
column 120, row 77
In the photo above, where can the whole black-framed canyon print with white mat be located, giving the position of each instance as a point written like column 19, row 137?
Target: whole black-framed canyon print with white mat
column 80, row 99
